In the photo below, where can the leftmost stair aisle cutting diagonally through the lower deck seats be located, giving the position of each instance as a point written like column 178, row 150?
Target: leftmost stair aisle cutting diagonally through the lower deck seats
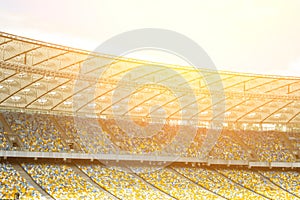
column 28, row 178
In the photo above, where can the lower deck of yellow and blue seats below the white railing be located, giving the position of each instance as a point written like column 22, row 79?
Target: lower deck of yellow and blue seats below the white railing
column 178, row 181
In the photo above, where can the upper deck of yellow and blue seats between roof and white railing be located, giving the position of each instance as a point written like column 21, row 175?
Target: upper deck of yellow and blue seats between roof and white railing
column 39, row 132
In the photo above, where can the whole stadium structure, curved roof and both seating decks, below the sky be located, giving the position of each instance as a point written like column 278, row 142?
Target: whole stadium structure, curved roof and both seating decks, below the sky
column 83, row 125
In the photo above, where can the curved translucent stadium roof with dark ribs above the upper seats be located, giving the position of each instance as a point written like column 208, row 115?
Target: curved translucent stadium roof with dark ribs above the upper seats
column 37, row 75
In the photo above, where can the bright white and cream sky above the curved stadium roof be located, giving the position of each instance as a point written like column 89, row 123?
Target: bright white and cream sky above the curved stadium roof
column 256, row 36
